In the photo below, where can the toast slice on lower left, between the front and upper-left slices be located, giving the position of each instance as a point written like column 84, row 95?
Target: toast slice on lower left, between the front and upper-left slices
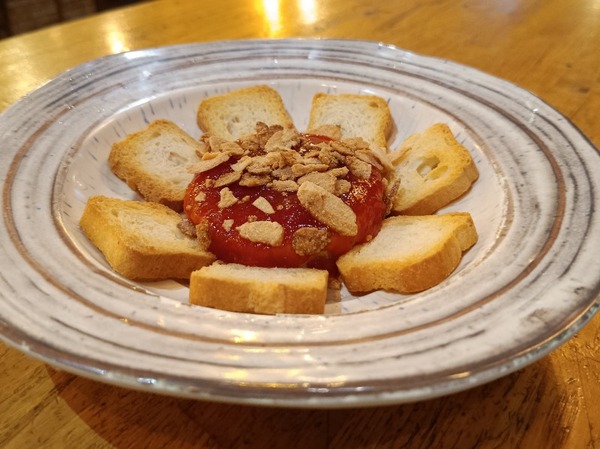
column 141, row 240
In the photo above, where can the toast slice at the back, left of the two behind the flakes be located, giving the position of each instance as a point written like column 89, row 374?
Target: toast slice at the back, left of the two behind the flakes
column 235, row 114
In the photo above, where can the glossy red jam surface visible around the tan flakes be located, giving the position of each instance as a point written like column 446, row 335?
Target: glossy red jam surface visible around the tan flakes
column 366, row 197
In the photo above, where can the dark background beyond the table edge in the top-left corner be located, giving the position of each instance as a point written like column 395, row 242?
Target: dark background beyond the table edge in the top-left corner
column 20, row 16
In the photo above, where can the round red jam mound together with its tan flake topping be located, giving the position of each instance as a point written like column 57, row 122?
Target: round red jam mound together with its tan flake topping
column 281, row 198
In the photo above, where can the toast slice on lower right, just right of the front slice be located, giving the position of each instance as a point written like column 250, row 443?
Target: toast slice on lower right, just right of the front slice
column 410, row 253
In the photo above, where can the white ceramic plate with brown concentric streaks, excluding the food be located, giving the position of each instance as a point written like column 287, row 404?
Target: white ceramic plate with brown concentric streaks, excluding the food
column 528, row 285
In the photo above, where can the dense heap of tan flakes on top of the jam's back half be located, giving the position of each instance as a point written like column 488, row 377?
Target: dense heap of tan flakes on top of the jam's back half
column 275, row 153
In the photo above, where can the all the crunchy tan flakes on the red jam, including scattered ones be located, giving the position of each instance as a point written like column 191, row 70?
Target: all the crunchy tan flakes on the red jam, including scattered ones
column 285, row 160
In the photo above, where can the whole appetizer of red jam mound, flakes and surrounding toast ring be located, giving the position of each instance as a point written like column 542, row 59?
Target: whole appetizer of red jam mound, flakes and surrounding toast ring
column 261, row 217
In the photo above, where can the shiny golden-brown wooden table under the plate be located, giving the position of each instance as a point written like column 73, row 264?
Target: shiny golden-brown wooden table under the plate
column 549, row 47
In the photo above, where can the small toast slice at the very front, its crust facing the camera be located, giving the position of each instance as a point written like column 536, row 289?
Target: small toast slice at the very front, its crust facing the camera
column 241, row 288
